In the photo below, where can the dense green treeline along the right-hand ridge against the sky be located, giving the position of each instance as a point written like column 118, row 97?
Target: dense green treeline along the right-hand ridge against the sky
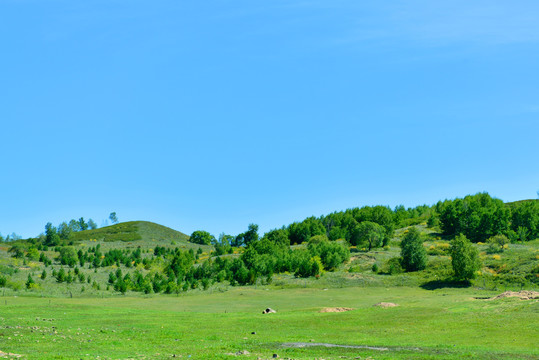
column 478, row 217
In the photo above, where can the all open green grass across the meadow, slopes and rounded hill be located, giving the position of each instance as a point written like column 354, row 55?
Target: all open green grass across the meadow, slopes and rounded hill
column 435, row 319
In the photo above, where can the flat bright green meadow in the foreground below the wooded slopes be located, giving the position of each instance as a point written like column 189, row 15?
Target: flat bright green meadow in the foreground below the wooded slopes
column 442, row 324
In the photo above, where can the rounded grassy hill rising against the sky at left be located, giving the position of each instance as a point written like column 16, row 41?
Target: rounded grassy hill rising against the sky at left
column 132, row 231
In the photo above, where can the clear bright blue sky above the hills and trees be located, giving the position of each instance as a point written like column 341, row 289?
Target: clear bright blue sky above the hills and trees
column 211, row 115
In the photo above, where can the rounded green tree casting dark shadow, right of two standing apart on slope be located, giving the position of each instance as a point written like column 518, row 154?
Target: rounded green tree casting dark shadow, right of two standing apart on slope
column 464, row 258
